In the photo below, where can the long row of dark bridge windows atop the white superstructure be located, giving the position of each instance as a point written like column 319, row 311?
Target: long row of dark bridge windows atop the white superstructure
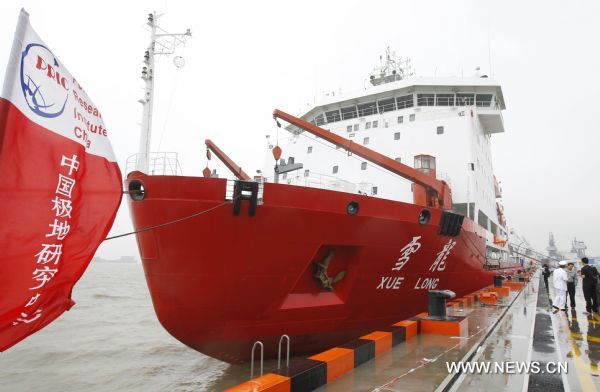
column 403, row 102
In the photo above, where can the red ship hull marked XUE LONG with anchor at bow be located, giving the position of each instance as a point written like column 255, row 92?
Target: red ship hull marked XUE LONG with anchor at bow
column 219, row 282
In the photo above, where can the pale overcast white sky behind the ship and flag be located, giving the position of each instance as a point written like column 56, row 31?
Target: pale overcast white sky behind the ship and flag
column 247, row 58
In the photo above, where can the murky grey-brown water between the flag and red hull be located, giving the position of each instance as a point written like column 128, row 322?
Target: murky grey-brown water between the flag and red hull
column 111, row 340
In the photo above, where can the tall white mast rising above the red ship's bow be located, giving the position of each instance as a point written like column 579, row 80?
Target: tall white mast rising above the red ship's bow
column 161, row 43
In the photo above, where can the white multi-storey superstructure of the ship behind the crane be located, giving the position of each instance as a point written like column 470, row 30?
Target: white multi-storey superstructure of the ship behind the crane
column 401, row 116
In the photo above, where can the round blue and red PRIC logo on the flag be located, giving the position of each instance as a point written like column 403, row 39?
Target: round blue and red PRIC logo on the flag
column 46, row 91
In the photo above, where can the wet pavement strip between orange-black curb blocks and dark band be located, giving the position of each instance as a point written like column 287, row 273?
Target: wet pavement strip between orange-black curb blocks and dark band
column 421, row 363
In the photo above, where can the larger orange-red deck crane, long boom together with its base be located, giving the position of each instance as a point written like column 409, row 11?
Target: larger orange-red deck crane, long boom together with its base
column 427, row 190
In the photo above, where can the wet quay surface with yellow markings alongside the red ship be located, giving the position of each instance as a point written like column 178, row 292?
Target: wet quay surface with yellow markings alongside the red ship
column 518, row 330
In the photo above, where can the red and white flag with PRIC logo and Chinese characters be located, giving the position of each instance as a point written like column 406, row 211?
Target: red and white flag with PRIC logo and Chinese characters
column 60, row 186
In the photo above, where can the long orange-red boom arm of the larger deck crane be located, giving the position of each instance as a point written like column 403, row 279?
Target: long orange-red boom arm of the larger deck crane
column 439, row 188
